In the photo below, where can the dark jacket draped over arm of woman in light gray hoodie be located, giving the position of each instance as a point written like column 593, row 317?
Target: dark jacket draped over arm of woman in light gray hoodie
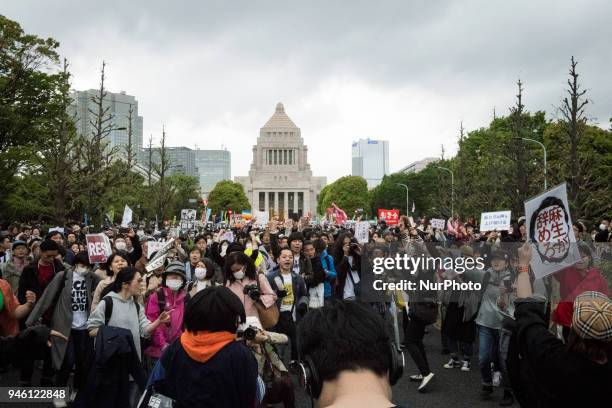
column 115, row 359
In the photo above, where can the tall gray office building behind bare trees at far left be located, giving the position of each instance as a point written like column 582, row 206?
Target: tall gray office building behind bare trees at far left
column 117, row 107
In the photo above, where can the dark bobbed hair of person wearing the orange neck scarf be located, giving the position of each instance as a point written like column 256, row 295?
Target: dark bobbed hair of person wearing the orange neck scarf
column 214, row 309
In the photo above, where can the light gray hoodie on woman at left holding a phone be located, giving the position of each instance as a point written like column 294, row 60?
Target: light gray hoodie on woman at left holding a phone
column 125, row 315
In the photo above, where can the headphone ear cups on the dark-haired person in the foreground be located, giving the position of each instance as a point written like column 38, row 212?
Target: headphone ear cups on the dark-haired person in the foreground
column 311, row 382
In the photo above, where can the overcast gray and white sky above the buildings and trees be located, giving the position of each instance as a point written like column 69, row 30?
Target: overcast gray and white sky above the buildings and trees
column 405, row 71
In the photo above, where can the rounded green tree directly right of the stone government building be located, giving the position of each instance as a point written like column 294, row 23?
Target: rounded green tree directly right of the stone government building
column 349, row 193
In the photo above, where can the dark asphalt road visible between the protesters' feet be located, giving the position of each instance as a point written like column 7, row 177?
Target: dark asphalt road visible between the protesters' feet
column 451, row 388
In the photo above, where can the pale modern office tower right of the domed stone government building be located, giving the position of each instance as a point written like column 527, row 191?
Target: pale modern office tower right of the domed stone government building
column 370, row 160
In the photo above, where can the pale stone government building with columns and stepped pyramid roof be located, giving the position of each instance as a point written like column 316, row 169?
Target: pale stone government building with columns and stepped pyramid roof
column 280, row 178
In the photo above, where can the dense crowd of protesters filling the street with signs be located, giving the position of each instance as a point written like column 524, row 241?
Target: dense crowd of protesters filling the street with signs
column 225, row 319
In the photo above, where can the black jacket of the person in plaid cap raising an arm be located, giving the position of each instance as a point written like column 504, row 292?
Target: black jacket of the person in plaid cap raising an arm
column 544, row 373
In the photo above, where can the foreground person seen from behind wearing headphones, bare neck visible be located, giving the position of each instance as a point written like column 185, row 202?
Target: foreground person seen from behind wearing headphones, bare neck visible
column 347, row 358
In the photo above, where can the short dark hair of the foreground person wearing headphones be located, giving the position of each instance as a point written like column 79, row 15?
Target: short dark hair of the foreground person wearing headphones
column 344, row 336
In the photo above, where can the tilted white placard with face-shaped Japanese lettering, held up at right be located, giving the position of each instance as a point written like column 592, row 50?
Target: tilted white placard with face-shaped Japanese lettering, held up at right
column 549, row 229
